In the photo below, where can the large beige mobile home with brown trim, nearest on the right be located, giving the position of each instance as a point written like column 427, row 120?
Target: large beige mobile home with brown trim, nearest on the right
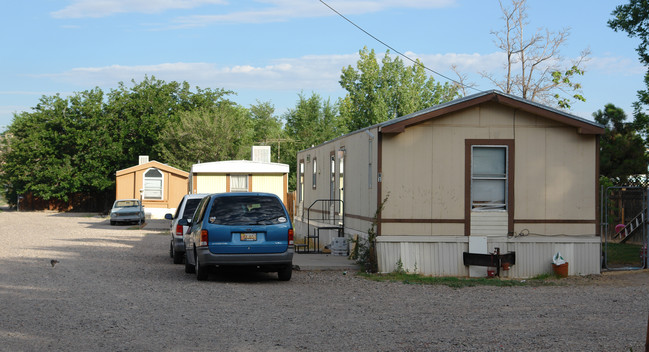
column 486, row 171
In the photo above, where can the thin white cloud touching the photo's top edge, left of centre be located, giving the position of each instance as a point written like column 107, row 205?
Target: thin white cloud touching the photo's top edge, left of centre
column 103, row 8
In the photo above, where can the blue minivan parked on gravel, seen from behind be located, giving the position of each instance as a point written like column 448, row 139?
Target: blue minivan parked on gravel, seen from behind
column 240, row 229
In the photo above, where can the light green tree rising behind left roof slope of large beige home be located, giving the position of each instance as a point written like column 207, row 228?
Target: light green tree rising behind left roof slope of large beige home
column 377, row 92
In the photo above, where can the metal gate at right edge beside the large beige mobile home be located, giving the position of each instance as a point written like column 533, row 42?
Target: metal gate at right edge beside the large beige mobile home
column 624, row 227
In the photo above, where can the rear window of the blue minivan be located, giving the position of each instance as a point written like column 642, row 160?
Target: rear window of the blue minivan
column 247, row 210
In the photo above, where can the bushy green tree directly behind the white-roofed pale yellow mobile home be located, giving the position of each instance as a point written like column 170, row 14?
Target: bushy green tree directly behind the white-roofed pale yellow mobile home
column 224, row 132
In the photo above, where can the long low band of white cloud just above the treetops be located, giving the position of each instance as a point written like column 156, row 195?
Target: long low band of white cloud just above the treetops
column 308, row 73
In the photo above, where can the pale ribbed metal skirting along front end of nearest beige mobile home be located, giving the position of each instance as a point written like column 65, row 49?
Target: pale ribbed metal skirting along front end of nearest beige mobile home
column 443, row 255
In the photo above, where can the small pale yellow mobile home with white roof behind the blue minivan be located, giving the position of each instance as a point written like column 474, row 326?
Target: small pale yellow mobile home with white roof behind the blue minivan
column 240, row 176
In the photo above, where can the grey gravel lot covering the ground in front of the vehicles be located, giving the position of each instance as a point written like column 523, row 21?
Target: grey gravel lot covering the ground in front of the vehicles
column 116, row 289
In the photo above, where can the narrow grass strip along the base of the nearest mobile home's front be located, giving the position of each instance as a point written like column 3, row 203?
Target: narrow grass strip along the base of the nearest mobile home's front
column 459, row 282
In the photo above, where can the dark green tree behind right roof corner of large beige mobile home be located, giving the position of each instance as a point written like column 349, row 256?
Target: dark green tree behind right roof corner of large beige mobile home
column 622, row 151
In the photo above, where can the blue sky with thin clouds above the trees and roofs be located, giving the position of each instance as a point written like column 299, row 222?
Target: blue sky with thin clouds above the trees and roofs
column 272, row 50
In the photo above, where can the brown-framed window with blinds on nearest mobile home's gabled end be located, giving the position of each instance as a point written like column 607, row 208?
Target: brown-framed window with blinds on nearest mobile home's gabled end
column 489, row 178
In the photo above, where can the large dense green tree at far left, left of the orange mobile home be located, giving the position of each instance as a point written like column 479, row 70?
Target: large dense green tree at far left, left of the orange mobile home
column 63, row 147
